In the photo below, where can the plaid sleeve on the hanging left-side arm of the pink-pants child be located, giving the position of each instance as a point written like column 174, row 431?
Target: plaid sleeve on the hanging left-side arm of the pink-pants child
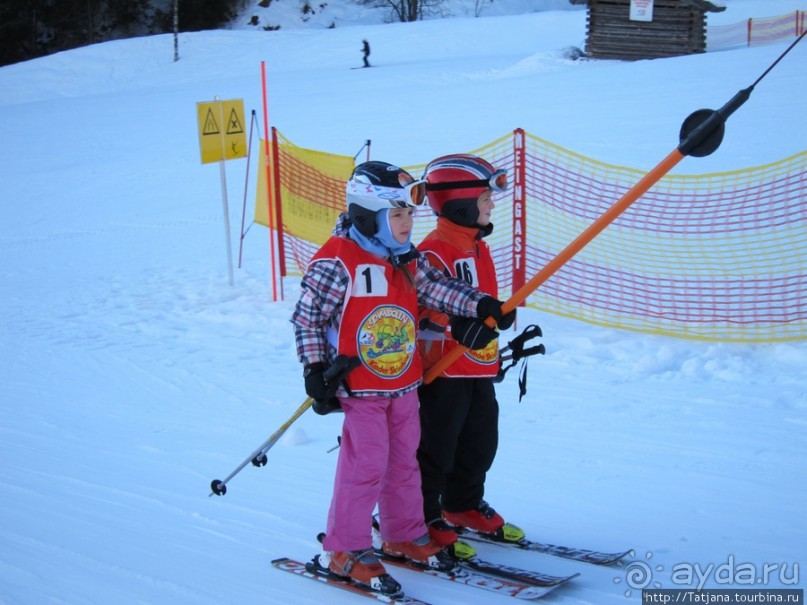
column 322, row 295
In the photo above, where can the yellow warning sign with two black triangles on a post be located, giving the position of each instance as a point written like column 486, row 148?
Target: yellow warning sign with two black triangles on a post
column 221, row 130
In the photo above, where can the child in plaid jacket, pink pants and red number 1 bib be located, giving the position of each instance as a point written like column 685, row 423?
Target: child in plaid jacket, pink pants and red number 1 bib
column 360, row 298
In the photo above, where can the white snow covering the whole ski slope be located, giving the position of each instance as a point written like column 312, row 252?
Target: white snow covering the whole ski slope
column 133, row 374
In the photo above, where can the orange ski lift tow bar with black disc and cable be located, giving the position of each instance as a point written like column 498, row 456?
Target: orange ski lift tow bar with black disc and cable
column 700, row 135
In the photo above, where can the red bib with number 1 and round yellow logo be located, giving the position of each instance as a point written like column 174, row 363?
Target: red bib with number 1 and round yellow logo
column 377, row 324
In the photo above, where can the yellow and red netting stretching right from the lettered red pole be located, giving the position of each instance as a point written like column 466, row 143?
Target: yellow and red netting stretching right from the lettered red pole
column 717, row 256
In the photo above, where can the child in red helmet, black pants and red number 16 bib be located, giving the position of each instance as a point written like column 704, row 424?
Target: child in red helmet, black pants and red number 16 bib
column 459, row 412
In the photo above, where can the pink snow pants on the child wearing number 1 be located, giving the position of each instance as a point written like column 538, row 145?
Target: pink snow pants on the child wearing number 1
column 377, row 465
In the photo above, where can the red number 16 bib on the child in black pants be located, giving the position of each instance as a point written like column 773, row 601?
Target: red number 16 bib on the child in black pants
column 475, row 266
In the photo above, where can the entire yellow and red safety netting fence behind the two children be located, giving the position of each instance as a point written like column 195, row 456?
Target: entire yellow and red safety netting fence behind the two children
column 718, row 256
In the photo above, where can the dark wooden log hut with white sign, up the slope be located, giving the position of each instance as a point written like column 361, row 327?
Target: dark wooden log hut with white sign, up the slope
column 646, row 29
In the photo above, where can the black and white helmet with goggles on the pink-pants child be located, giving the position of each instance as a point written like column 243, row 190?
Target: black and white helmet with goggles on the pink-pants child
column 375, row 186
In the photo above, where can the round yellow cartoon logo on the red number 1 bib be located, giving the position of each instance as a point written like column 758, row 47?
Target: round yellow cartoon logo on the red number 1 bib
column 386, row 341
